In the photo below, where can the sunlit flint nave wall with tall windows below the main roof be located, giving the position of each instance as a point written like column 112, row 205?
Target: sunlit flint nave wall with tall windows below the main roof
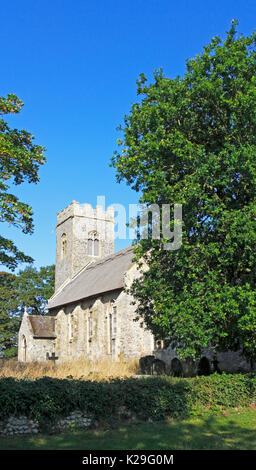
column 129, row 339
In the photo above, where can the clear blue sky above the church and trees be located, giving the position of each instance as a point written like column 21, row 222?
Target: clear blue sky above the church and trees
column 75, row 64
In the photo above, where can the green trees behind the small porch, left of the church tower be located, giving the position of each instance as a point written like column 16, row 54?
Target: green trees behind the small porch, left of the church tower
column 31, row 288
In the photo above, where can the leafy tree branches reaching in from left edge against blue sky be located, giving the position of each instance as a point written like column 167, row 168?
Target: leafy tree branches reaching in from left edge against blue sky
column 20, row 160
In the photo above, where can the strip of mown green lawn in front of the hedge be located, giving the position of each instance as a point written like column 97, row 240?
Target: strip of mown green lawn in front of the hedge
column 230, row 430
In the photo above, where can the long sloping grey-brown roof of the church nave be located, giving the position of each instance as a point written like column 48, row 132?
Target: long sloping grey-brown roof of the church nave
column 102, row 276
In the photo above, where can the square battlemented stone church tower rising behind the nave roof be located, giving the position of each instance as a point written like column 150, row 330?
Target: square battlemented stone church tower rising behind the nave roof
column 83, row 235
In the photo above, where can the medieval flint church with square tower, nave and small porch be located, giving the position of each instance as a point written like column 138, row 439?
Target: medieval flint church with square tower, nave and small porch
column 90, row 316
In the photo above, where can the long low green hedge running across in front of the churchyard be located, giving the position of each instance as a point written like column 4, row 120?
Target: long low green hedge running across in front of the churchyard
column 47, row 399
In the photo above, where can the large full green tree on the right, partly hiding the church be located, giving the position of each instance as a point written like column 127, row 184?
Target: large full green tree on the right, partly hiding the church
column 192, row 141
